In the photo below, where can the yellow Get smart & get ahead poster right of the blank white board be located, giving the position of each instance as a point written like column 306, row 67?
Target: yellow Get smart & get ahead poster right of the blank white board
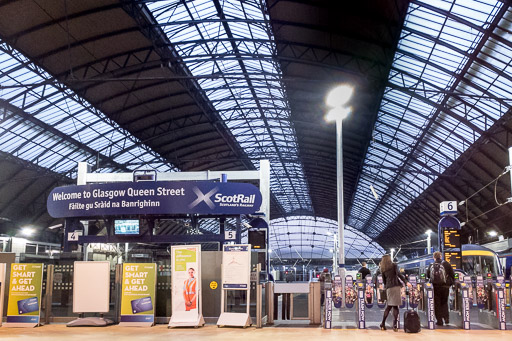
column 138, row 293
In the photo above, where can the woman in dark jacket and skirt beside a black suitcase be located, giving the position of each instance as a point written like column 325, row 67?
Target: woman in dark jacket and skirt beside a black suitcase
column 391, row 278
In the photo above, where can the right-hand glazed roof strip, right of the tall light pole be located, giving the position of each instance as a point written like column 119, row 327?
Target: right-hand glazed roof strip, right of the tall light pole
column 450, row 81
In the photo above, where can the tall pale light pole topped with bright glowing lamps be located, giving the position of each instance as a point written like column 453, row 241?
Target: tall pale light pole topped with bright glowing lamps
column 337, row 100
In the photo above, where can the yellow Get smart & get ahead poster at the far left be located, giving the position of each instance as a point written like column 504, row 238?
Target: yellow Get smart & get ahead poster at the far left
column 25, row 294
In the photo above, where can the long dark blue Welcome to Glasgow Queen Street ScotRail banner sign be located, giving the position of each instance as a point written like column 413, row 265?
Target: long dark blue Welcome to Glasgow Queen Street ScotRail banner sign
column 159, row 197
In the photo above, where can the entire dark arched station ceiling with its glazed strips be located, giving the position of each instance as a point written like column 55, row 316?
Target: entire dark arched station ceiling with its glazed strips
column 219, row 85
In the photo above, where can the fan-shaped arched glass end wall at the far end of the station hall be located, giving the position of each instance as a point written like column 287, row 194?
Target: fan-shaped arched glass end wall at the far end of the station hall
column 307, row 237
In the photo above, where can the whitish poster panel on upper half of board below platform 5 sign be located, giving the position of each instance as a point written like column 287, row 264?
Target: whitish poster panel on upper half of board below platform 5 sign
column 236, row 266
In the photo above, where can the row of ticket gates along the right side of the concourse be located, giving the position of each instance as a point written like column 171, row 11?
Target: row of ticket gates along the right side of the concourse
column 475, row 304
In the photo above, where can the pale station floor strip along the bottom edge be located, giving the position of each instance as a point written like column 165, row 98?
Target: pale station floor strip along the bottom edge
column 58, row 332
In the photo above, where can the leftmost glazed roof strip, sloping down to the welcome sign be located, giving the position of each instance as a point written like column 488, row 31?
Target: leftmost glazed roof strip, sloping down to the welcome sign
column 49, row 125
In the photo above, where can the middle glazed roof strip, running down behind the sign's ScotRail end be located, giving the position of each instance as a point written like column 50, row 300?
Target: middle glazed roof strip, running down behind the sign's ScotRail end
column 228, row 46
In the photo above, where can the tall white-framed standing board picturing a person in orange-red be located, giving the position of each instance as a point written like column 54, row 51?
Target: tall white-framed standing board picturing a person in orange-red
column 186, row 286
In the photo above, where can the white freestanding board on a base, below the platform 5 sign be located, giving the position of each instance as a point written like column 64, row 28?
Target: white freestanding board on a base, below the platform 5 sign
column 236, row 275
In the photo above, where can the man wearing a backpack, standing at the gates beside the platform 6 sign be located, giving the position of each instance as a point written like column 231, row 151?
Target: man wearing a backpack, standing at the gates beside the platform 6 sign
column 442, row 277
